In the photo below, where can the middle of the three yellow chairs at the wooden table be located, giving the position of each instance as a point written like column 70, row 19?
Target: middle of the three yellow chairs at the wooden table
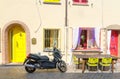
column 92, row 63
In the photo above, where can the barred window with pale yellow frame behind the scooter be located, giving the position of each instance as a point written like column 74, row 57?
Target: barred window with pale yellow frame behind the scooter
column 51, row 38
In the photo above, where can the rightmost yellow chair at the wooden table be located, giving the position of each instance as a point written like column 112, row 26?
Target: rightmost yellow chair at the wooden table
column 105, row 62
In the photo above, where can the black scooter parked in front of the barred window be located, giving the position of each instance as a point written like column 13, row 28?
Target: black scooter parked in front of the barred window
column 34, row 61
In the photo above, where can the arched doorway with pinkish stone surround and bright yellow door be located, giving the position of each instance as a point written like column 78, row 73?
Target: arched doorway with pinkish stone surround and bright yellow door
column 15, row 42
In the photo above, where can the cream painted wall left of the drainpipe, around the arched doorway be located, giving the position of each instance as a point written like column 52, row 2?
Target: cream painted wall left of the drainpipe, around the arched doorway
column 36, row 16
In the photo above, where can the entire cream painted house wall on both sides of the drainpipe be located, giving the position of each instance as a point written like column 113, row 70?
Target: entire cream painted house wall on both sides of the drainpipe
column 38, row 16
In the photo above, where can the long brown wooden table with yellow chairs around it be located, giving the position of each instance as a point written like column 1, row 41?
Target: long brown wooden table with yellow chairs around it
column 100, row 56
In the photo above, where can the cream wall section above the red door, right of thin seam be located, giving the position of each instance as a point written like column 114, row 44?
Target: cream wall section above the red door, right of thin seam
column 111, row 12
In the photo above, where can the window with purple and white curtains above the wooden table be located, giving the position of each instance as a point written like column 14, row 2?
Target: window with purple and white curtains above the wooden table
column 86, row 38
